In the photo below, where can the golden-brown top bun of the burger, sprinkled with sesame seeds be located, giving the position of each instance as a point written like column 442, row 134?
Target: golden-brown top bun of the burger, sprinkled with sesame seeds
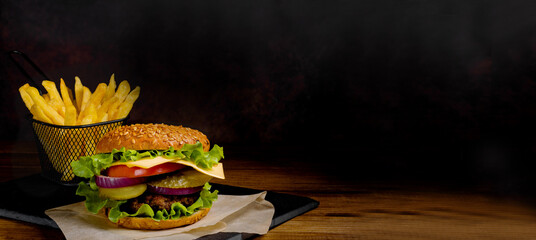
column 150, row 137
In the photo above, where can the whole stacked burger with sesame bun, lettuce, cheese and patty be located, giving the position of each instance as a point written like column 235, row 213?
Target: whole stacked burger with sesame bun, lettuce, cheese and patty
column 150, row 176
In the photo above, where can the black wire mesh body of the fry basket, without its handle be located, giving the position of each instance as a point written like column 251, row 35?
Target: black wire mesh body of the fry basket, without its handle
column 58, row 146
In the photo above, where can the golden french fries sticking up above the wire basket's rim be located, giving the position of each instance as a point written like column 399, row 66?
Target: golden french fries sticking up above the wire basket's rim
column 62, row 108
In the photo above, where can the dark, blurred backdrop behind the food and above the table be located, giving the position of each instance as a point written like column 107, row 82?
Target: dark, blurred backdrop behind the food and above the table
column 426, row 90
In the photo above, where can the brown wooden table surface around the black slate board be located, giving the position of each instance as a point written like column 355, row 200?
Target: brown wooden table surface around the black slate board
column 348, row 208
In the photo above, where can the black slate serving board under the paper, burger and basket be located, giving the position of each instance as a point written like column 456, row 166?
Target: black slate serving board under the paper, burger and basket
column 26, row 199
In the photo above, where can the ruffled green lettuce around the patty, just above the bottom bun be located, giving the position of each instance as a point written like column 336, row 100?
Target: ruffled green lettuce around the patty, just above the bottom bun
column 94, row 203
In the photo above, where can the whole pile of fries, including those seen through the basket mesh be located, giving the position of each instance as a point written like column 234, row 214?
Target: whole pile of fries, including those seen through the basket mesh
column 64, row 145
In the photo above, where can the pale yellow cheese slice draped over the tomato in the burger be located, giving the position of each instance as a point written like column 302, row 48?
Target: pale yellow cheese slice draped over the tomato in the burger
column 216, row 171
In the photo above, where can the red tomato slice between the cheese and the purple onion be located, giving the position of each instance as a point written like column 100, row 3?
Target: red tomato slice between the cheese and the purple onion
column 125, row 171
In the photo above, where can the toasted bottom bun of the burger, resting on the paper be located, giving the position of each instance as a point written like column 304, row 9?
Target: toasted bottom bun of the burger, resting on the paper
column 151, row 224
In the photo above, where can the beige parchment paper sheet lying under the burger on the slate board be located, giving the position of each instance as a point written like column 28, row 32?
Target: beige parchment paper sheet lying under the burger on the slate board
column 247, row 214
